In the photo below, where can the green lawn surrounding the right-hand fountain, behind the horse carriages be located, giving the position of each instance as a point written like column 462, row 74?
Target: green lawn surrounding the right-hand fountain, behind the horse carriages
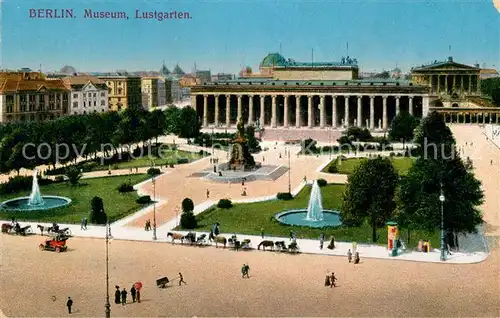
column 251, row 217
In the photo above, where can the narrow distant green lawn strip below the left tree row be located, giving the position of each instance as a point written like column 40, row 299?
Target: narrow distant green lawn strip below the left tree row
column 168, row 157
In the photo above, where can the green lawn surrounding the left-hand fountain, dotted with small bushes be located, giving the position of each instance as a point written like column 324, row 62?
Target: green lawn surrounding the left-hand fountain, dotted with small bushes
column 117, row 205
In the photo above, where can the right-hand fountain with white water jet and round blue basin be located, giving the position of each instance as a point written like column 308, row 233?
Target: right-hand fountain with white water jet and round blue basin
column 313, row 216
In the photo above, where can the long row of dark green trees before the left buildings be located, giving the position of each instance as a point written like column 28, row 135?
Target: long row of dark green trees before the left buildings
column 70, row 137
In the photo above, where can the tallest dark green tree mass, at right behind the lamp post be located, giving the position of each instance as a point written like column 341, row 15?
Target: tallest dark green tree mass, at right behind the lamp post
column 439, row 164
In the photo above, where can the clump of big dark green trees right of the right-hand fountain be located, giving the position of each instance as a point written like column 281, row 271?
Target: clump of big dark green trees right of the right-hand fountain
column 376, row 194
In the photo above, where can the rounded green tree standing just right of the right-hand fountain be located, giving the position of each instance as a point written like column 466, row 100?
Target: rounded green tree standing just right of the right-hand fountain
column 369, row 195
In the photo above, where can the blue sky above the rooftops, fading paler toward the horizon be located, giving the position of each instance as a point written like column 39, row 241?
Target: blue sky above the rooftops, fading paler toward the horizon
column 225, row 36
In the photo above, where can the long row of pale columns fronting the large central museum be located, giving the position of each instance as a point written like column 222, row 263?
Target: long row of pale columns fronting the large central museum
column 311, row 110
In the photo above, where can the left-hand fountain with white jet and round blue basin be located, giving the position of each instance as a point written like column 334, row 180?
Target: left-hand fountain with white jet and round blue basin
column 35, row 201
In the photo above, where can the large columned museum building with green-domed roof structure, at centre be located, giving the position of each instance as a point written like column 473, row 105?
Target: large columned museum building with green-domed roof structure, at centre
column 294, row 95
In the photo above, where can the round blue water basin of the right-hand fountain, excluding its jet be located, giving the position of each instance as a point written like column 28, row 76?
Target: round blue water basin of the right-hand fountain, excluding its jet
column 331, row 218
